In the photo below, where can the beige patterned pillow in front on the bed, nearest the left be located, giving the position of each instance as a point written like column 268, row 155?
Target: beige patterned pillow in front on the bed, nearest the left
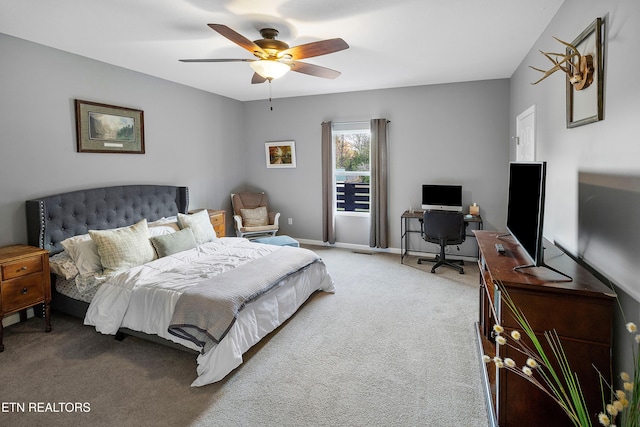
column 123, row 248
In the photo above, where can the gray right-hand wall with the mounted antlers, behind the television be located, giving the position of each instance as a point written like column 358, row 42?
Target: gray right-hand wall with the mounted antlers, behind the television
column 609, row 147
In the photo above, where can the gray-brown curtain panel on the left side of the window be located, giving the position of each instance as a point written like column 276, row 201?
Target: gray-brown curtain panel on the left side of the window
column 328, row 217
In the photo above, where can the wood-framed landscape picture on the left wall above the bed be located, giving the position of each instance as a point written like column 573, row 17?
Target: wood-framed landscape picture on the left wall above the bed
column 102, row 128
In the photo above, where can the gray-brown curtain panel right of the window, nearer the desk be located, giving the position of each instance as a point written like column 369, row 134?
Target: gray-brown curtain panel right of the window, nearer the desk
column 378, row 237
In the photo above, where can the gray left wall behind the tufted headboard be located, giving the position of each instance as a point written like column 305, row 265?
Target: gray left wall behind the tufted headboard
column 192, row 137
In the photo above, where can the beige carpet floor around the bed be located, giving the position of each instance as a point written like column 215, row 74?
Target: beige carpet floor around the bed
column 394, row 346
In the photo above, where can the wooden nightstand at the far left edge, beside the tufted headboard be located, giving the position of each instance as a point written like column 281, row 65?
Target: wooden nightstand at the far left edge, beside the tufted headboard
column 24, row 282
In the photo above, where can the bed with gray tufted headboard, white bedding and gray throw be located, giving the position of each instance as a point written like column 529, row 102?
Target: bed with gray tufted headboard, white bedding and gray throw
column 175, row 296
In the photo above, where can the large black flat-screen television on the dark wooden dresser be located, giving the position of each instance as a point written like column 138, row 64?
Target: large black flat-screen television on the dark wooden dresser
column 525, row 210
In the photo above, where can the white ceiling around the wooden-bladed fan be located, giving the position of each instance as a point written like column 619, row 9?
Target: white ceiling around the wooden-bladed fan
column 393, row 43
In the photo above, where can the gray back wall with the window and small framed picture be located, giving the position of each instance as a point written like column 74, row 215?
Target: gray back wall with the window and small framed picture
column 453, row 133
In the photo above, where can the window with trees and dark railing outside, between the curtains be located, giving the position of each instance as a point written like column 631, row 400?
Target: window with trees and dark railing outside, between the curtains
column 352, row 169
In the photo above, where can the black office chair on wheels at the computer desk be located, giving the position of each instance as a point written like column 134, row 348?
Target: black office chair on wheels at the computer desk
column 444, row 228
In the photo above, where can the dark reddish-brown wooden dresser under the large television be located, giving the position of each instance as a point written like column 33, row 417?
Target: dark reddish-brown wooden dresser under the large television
column 580, row 311
